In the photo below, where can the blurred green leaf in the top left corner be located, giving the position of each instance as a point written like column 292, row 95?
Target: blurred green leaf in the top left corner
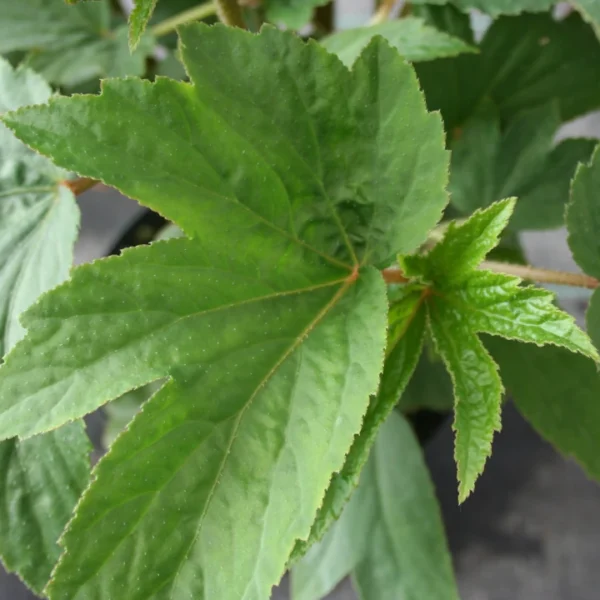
column 70, row 45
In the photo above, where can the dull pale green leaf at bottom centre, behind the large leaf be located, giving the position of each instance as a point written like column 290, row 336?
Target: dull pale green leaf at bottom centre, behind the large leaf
column 390, row 535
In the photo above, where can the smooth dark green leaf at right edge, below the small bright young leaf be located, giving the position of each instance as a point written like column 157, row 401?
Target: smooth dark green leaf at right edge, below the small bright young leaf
column 557, row 392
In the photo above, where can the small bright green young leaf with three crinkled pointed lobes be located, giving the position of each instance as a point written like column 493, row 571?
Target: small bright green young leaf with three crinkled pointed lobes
column 462, row 302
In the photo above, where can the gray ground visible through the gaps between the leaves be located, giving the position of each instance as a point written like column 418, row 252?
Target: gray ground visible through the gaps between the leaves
column 532, row 529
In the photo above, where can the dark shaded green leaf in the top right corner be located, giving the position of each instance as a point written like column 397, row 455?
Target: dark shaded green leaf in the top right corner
column 521, row 59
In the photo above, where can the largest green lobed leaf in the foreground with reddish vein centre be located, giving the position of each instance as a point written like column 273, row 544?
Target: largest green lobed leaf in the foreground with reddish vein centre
column 272, row 344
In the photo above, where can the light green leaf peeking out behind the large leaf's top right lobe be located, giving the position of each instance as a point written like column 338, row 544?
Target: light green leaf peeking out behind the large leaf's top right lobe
column 415, row 40
